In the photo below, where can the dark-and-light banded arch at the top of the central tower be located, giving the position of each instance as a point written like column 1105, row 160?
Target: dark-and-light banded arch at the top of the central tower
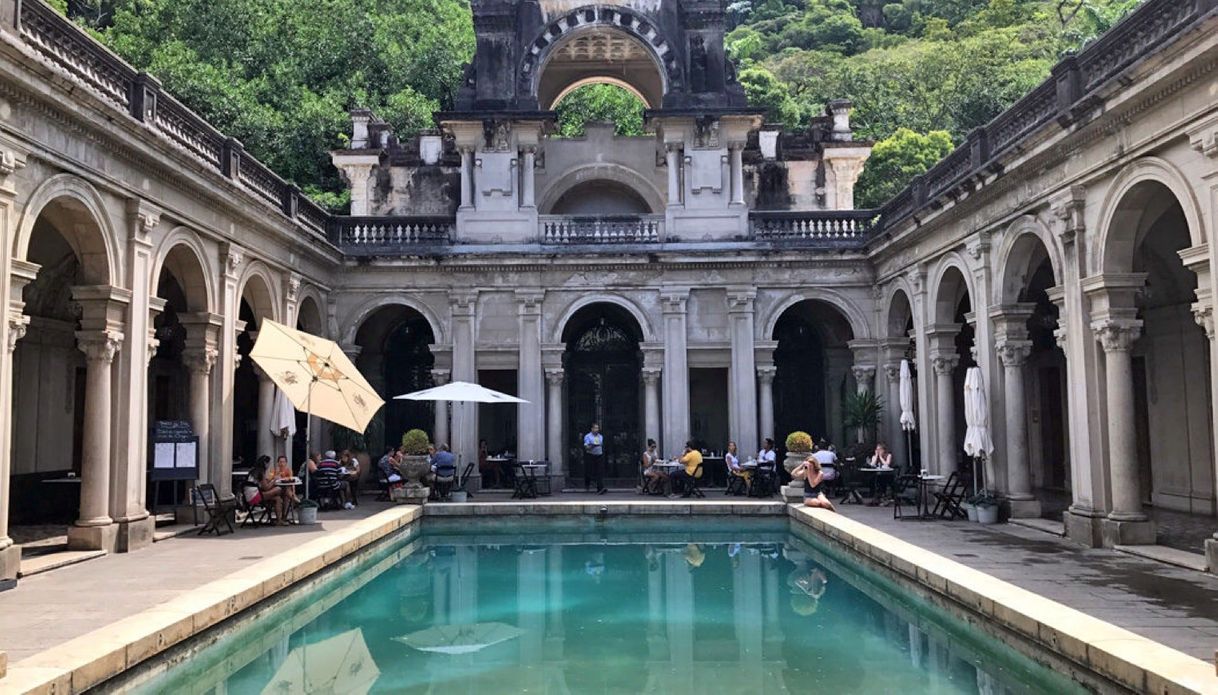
column 601, row 18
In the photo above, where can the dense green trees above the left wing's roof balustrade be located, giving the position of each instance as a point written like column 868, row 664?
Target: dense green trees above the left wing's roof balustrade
column 281, row 76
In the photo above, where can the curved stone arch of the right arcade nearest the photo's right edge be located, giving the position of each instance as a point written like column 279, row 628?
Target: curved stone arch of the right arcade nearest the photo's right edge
column 1116, row 246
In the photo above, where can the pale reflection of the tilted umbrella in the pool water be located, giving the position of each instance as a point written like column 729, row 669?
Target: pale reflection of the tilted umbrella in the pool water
column 340, row 664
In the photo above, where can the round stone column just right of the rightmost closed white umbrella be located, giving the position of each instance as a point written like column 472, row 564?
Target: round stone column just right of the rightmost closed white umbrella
column 1019, row 472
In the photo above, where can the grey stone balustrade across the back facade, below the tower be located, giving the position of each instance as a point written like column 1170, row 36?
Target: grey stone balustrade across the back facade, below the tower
column 767, row 231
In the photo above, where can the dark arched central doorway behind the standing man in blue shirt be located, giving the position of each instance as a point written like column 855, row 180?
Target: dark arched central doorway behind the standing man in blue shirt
column 602, row 363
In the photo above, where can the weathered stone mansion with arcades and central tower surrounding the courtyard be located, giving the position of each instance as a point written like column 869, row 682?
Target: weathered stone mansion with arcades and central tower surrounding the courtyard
column 708, row 282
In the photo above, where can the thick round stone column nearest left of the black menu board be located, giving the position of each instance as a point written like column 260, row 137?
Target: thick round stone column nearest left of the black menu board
column 96, row 530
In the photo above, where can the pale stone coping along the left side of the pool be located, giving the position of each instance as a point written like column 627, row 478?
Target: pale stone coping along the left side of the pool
column 96, row 657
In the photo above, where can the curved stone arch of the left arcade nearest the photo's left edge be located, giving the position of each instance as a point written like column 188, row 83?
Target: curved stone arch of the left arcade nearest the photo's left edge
column 97, row 249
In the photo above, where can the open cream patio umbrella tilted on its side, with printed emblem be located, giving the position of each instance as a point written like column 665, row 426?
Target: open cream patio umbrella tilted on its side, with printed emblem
column 317, row 377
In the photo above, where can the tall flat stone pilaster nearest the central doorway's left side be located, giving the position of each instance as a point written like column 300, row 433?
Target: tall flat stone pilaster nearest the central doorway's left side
column 532, row 417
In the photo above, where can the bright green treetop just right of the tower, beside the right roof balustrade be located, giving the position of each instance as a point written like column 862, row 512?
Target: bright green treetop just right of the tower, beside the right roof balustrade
column 896, row 161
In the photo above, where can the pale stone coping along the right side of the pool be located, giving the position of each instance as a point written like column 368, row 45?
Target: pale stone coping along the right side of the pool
column 1137, row 663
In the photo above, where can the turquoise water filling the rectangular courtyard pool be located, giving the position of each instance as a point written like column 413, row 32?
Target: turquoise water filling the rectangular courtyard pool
column 692, row 607
